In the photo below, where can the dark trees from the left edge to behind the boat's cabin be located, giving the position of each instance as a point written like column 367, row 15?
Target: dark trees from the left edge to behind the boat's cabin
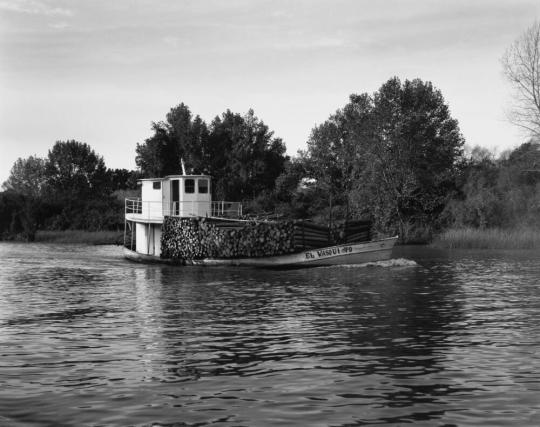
column 73, row 189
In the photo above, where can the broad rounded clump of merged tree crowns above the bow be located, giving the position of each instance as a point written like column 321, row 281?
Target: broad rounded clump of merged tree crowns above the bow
column 392, row 155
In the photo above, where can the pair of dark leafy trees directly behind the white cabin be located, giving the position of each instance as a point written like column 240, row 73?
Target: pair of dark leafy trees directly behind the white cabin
column 239, row 152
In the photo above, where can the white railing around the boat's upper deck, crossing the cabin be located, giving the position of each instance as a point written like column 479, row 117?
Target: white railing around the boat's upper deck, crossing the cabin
column 138, row 209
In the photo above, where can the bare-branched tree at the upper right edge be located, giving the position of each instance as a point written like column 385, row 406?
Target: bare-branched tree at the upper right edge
column 521, row 66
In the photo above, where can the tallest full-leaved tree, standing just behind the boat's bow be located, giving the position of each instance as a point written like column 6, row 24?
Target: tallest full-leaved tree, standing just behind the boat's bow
column 418, row 147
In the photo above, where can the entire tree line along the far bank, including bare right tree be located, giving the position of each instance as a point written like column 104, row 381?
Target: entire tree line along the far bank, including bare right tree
column 396, row 157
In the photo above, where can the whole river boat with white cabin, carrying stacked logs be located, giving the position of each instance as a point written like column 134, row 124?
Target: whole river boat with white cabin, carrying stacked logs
column 184, row 201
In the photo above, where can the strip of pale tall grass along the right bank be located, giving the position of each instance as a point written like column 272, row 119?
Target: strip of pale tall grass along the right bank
column 491, row 238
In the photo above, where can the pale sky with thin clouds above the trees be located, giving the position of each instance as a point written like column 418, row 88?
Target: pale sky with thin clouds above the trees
column 102, row 71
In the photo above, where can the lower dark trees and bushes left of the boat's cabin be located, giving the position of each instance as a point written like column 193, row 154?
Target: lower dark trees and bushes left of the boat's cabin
column 70, row 189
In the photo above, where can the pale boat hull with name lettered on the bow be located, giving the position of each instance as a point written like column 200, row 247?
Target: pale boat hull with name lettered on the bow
column 350, row 253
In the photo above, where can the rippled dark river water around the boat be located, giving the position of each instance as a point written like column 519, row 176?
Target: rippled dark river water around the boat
column 434, row 338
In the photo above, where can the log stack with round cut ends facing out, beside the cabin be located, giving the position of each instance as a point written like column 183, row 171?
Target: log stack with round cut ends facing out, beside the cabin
column 197, row 238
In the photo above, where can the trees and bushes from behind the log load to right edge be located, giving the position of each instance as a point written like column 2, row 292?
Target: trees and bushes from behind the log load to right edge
column 397, row 157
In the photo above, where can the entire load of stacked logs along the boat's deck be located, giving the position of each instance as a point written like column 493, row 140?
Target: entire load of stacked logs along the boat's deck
column 198, row 238
